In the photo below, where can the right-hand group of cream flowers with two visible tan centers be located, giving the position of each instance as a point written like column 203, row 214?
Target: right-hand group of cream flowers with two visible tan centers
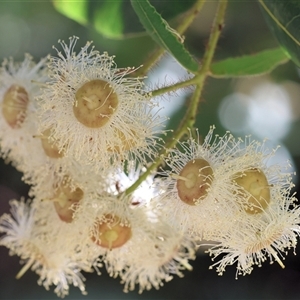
column 225, row 194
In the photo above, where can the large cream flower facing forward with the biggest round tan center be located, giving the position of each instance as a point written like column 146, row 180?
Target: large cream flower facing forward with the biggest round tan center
column 96, row 113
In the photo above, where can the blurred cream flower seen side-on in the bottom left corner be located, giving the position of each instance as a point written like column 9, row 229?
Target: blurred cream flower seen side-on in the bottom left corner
column 44, row 249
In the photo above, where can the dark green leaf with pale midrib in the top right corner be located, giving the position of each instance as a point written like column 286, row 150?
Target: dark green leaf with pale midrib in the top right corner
column 283, row 18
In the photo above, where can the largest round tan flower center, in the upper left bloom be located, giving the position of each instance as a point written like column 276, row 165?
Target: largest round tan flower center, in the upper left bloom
column 95, row 103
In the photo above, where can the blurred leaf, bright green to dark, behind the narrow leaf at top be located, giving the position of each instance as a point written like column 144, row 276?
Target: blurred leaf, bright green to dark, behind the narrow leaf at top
column 115, row 19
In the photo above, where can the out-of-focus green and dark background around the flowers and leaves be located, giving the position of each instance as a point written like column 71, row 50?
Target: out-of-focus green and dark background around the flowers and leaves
column 265, row 106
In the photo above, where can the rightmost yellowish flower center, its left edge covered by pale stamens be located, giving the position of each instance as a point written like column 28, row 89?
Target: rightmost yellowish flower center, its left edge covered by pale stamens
column 255, row 189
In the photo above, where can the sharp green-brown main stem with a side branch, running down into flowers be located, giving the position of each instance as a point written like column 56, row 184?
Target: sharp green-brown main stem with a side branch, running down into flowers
column 190, row 116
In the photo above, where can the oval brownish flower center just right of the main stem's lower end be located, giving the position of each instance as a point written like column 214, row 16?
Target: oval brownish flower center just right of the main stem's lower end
column 194, row 180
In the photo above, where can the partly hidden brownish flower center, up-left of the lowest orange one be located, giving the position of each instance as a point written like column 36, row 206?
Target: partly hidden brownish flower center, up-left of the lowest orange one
column 66, row 201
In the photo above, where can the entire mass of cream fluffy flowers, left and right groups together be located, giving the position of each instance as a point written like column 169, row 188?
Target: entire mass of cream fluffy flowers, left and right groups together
column 82, row 131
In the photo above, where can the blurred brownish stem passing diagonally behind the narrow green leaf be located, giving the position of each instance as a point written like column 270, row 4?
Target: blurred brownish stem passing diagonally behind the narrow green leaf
column 187, row 19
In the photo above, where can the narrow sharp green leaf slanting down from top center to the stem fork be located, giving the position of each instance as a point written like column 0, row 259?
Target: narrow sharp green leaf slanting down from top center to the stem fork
column 163, row 34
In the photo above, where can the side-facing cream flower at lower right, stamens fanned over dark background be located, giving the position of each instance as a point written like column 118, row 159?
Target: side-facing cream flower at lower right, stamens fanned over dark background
column 253, row 239
